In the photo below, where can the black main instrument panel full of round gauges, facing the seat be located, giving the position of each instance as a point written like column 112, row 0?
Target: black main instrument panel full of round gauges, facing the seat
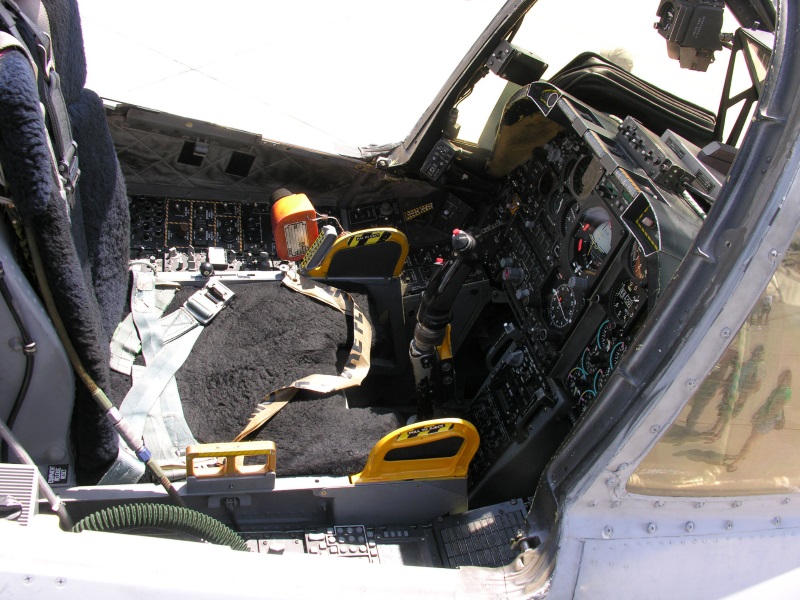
column 586, row 243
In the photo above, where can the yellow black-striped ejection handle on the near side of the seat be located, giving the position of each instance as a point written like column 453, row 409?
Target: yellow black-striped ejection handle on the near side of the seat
column 435, row 449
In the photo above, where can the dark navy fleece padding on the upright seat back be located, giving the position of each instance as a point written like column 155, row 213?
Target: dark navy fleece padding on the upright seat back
column 84, row 249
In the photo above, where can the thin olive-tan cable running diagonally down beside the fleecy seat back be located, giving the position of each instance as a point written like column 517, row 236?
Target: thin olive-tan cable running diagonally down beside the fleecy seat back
column 111, row 412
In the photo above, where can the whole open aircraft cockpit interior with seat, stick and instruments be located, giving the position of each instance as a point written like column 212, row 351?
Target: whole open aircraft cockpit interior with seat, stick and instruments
column 390, row 357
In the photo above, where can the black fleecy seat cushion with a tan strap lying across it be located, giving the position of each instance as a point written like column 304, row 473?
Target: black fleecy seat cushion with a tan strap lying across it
column 266, row 338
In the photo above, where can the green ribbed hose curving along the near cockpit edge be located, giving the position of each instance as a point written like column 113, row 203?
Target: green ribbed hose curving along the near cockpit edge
column 162, row 516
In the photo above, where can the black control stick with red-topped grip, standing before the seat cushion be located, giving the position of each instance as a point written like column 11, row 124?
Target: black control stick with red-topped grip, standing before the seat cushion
column 430, row 351
